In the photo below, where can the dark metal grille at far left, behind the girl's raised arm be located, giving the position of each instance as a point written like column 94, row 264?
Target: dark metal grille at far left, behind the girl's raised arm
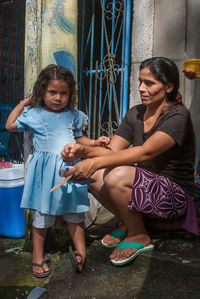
column 12, row 15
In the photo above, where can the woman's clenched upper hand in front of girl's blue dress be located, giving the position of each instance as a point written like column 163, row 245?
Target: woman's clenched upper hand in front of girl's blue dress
column 72, row 151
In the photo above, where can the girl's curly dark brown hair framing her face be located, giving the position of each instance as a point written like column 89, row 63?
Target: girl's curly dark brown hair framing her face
column 53, row 72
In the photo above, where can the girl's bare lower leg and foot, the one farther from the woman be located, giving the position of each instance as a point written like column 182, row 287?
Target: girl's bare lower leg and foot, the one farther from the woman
column 39, row 235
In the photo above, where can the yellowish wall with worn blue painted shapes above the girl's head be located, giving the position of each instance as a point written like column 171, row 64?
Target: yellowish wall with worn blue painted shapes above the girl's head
column 50, row 37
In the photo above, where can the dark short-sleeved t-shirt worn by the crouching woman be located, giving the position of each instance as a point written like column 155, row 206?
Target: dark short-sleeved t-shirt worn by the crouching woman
column 177, row 163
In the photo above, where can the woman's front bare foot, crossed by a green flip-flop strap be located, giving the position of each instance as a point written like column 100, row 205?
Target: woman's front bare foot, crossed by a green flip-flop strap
column 127, row 252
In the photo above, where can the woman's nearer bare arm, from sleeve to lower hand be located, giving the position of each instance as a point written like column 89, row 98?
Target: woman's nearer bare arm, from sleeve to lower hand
column 158, row 143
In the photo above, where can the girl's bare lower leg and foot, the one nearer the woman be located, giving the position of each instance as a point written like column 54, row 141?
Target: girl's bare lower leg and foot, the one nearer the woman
column 76, row 231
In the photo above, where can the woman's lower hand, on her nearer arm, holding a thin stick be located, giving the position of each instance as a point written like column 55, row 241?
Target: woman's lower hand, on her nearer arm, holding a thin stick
column 82, row 170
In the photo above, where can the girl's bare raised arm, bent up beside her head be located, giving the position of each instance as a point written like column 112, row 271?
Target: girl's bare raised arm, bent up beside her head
column 15, row 113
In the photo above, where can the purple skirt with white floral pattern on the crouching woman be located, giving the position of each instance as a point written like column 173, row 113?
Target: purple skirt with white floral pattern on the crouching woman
column 159, row 197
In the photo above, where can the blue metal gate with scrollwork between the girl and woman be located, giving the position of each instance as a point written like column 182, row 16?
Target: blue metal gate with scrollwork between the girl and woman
column 104, row 33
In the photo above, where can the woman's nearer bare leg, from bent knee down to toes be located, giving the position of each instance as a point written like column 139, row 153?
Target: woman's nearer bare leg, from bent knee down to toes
column 118, row 184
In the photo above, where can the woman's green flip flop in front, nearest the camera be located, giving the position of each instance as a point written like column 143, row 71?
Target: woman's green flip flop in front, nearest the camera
column 140, row 248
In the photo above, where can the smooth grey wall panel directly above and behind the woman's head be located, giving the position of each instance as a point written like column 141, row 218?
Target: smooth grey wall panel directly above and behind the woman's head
column 169, row 38
